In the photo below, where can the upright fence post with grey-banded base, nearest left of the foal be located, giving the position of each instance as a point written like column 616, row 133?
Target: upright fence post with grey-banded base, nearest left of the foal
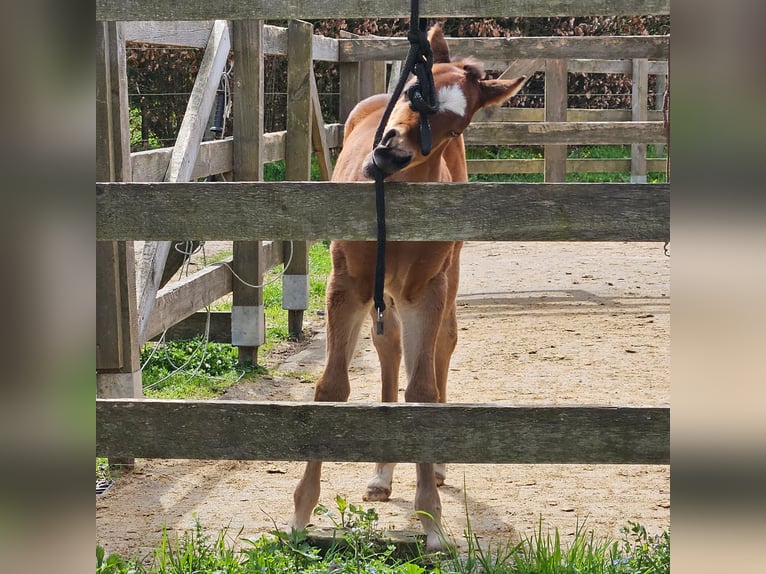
column 298, row 148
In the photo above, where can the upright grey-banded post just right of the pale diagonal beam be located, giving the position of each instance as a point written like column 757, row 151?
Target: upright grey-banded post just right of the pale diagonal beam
column 248, row 323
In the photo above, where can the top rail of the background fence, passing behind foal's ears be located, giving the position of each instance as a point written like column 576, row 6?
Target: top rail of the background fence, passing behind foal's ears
column 517, row 48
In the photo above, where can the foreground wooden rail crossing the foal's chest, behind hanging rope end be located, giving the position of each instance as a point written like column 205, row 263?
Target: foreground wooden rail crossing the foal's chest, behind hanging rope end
column 324, row 210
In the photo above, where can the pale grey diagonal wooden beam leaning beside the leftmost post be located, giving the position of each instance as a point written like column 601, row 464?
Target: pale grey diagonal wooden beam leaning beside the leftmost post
column 182, row 161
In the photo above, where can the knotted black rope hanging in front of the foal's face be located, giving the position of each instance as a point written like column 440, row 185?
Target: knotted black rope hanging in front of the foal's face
column 422, row 97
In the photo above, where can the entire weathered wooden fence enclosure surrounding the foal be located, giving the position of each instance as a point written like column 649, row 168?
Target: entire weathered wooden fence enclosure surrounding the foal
column 151, row 196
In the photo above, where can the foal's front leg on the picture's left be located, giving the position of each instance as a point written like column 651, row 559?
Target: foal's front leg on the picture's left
column 345, row 314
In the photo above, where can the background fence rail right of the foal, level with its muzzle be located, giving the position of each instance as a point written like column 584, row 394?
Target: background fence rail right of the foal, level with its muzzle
column 545, row 133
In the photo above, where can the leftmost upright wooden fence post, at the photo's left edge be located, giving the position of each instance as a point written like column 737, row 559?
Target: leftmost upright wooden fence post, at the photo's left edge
column 118, row 369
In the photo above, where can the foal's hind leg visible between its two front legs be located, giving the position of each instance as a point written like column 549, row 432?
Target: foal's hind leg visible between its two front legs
column 389, row 349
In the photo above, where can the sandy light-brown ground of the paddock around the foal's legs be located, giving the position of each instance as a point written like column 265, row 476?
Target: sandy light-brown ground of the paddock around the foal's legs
column 540, row 323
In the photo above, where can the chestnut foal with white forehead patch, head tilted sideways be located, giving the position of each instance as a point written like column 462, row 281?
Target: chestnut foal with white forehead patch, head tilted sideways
column 421, row 277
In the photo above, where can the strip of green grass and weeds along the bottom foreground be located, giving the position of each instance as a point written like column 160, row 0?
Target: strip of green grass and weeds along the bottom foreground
column 359, row 547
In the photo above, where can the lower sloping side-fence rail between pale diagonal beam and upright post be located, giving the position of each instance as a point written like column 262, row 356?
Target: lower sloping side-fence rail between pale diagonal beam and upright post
column 179, row 300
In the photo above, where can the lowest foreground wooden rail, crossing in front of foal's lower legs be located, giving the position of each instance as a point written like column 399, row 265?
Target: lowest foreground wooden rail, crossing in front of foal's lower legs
column 467, row 433
